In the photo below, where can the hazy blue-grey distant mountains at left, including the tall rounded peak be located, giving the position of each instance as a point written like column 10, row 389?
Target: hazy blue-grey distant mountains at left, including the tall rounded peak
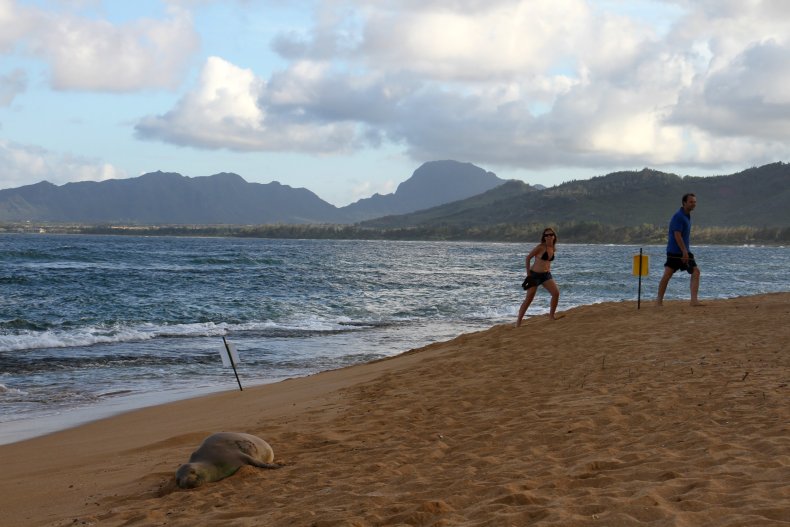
column 170, row 198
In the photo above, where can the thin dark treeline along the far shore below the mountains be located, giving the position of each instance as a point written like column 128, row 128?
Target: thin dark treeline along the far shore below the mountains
column 573, row 232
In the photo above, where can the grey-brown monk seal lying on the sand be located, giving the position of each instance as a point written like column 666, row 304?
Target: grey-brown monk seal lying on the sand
column 221, row 455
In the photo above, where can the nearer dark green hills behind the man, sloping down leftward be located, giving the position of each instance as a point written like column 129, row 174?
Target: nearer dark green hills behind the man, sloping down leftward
column 758, row 197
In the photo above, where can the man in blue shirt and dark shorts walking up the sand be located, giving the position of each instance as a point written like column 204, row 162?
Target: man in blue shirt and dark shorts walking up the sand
column 678, row 254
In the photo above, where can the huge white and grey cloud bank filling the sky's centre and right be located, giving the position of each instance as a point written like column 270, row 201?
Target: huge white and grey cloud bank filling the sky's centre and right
column 529, row 84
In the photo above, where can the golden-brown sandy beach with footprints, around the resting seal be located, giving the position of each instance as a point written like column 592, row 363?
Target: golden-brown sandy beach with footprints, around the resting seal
column 609, row 416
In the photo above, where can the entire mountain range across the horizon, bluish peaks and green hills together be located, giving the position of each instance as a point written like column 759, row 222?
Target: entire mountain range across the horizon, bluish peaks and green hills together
column 439, row 193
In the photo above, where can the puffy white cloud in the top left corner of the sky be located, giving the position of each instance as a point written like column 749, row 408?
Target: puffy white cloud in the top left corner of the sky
column 91, row 53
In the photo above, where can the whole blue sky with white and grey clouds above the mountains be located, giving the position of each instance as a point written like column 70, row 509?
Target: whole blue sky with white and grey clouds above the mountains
column 348, row 97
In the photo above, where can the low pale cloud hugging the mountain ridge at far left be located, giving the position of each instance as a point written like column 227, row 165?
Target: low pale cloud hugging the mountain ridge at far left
column 21, row 164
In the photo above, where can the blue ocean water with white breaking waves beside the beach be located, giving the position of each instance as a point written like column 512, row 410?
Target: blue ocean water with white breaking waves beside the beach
column 95, row 325
